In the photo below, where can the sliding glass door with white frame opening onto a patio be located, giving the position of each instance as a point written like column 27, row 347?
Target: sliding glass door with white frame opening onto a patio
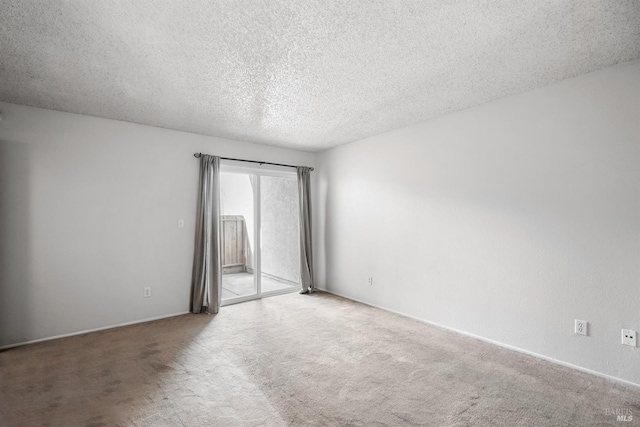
column 260, row 234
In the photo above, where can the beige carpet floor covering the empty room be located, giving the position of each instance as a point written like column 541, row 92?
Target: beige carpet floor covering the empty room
column 295, row 360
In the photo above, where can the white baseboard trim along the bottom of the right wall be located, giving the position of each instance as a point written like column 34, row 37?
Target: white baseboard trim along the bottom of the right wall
column 498, row 343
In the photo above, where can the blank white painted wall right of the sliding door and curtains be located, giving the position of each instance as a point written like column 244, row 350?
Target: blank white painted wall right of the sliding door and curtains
column 507, row 221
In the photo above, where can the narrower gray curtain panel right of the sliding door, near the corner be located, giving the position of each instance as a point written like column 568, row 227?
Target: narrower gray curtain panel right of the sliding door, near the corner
column 306, row 257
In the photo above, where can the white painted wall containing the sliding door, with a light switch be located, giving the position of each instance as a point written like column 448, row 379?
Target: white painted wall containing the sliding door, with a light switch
column 88, row 217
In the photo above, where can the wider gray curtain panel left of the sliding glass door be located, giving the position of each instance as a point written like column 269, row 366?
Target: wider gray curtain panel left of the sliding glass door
column 206, row 278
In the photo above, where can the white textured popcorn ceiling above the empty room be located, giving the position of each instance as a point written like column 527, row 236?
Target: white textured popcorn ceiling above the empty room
column 301, row 74
